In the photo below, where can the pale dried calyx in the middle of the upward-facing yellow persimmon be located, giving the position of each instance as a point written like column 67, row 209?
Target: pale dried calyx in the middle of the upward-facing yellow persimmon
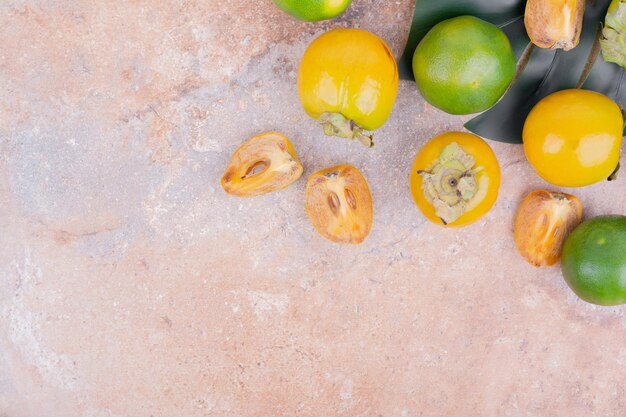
column 450, row 183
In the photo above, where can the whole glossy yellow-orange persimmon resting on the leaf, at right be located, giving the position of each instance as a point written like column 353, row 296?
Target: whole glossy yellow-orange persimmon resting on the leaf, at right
column 573, row 137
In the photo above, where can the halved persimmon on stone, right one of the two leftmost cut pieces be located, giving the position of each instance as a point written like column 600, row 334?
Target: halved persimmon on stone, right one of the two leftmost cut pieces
column 339, row 204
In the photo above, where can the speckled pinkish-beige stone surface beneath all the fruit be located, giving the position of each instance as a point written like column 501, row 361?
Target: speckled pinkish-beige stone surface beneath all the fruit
column 131, row 285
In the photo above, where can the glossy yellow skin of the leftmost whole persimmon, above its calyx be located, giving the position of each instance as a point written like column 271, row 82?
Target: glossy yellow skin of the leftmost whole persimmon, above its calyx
column 352, row 72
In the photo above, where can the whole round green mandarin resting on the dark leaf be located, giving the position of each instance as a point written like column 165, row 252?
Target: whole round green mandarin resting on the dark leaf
column 464, row 65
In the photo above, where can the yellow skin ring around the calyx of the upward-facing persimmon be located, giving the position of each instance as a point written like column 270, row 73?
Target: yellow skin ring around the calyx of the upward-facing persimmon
column 488, row 176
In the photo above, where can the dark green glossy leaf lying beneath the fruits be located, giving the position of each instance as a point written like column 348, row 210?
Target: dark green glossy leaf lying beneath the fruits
column 540, row 71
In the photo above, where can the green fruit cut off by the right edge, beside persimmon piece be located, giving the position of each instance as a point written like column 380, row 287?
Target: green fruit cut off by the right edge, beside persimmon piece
column 594, row 260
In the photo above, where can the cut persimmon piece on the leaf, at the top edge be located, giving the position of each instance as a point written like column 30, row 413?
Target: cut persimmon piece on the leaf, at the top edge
column 554, row 23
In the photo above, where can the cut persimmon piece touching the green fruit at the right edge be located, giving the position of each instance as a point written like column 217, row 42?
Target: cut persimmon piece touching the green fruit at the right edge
column 544, row 221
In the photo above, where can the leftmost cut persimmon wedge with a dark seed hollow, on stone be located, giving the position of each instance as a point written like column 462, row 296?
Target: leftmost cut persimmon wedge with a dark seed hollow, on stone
column 263, row 164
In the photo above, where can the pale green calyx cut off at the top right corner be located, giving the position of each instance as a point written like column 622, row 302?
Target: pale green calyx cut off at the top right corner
column 613, row 41
